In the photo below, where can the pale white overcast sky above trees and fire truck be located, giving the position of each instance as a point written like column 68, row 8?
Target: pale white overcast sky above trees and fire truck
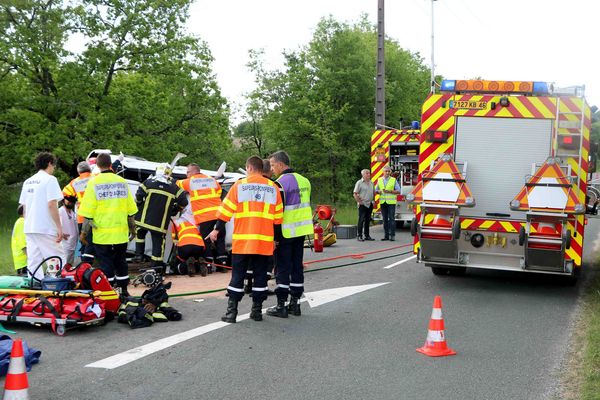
column 530, row 40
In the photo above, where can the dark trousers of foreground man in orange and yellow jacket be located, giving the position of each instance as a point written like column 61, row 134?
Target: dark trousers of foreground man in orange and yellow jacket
column 241, row 263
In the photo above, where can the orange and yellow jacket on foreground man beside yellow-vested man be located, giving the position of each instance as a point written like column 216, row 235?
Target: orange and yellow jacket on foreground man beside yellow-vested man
column 256, row 204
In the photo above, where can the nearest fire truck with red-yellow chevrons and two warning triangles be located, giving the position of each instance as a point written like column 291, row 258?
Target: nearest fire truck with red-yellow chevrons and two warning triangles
column 503, row 178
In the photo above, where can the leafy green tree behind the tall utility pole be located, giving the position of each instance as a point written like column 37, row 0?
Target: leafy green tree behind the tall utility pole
column 320, row 107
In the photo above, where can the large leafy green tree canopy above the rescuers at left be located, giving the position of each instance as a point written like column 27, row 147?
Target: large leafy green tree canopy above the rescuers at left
column 140, row 84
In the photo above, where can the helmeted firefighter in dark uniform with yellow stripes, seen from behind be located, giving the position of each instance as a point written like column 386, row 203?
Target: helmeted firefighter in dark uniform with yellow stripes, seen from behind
column 158, row 199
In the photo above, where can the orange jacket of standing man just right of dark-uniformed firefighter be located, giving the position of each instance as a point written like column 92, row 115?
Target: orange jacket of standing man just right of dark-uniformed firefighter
column 205, row 196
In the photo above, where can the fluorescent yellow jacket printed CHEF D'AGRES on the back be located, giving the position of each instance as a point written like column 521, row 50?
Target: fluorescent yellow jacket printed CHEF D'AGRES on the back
column 108, row 202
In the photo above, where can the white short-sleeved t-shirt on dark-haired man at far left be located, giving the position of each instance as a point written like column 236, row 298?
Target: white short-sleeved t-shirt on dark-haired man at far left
column 36, row 193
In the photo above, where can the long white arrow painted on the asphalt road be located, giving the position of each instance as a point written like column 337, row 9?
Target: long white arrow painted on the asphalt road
column 314, row 299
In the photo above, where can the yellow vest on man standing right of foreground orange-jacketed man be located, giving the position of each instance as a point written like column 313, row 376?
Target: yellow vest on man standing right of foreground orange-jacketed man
column 297, row 213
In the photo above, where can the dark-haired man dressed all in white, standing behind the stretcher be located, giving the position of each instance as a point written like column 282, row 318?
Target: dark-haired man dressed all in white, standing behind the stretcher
column 43, row 230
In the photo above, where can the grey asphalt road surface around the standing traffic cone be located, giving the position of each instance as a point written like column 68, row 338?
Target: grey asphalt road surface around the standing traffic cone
column 510, row 331
